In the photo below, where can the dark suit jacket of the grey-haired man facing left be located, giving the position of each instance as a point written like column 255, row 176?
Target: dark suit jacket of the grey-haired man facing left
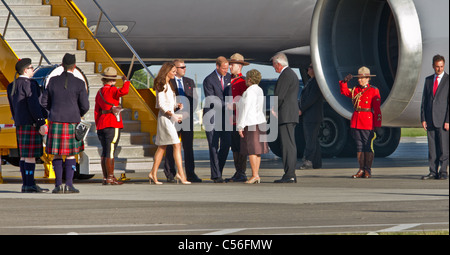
column 287, row 91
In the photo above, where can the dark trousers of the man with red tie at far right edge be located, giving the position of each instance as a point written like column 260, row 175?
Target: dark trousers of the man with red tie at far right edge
column 438, row 150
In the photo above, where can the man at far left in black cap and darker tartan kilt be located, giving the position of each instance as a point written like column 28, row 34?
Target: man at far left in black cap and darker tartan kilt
column 29, row 118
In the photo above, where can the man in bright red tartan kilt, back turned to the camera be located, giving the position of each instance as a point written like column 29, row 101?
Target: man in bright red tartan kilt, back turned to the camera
column 66, row 99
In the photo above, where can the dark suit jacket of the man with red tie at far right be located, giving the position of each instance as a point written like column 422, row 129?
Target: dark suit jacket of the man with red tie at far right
column 435, row 109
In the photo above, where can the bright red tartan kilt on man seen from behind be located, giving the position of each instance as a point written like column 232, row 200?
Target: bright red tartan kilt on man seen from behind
column 61, row 139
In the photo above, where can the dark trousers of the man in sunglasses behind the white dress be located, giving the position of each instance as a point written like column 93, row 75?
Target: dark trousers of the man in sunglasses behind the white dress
column 187, row 141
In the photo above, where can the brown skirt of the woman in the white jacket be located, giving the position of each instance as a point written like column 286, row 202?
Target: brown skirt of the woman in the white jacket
column 251, row 144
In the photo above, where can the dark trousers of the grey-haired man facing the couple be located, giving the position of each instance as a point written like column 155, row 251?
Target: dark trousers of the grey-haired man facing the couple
column 286, row 134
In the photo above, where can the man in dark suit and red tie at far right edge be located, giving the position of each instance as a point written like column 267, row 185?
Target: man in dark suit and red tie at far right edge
column 435, row 119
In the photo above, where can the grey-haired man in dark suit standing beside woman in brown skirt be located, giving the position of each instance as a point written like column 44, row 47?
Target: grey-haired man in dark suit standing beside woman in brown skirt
column 286, row 90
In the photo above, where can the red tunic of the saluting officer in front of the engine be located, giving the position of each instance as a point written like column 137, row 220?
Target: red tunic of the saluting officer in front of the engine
column 367, row 113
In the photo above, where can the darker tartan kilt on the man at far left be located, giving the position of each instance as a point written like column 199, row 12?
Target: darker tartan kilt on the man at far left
column 29, row 141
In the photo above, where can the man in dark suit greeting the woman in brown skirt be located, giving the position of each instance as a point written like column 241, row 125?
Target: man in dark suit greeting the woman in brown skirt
column 217, row 87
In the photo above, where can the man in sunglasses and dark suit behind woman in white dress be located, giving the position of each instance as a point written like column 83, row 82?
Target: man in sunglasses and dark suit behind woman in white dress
column 186, row 92
